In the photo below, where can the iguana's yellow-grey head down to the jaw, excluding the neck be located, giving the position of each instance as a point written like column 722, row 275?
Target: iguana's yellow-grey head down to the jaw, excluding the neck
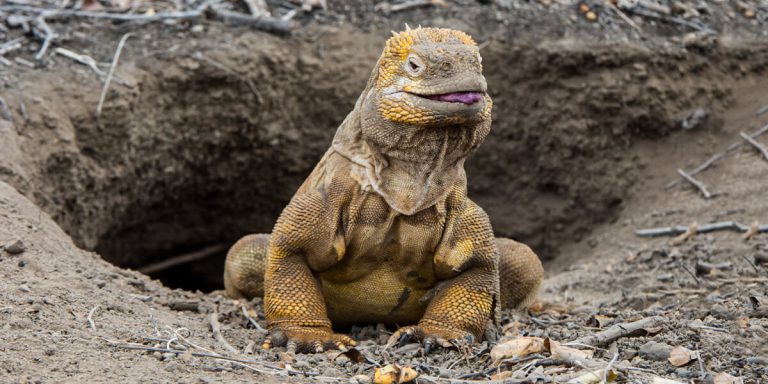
column 431, row 76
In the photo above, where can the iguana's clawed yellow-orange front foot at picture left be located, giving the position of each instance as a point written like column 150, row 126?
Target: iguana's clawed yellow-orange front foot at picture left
column 306, row 339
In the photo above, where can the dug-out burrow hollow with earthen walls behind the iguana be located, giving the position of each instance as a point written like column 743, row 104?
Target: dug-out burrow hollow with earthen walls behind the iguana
column 207, row 142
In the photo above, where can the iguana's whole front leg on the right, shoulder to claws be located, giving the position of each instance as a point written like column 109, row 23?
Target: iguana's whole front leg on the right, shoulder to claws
column 462, row 304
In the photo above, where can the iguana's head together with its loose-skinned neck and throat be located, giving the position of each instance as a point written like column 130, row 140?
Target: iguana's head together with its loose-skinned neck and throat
column 423, row 111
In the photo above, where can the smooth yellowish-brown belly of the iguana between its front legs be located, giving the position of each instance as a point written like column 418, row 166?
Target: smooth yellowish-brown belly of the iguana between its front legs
column 378, row 297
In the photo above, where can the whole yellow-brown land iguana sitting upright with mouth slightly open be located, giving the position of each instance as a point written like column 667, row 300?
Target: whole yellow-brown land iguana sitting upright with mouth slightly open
column 382, row 230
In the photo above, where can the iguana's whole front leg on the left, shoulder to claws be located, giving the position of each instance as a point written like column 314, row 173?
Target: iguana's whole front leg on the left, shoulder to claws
column 294, row 306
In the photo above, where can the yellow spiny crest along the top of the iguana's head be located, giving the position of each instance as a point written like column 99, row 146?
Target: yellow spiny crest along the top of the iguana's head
column 399, row 45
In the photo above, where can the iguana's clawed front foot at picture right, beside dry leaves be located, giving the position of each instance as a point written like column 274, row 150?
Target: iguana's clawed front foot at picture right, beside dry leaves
column 430, row 335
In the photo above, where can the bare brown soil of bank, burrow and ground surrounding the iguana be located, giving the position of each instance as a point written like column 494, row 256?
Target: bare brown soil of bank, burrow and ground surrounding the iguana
column 211, row 132
